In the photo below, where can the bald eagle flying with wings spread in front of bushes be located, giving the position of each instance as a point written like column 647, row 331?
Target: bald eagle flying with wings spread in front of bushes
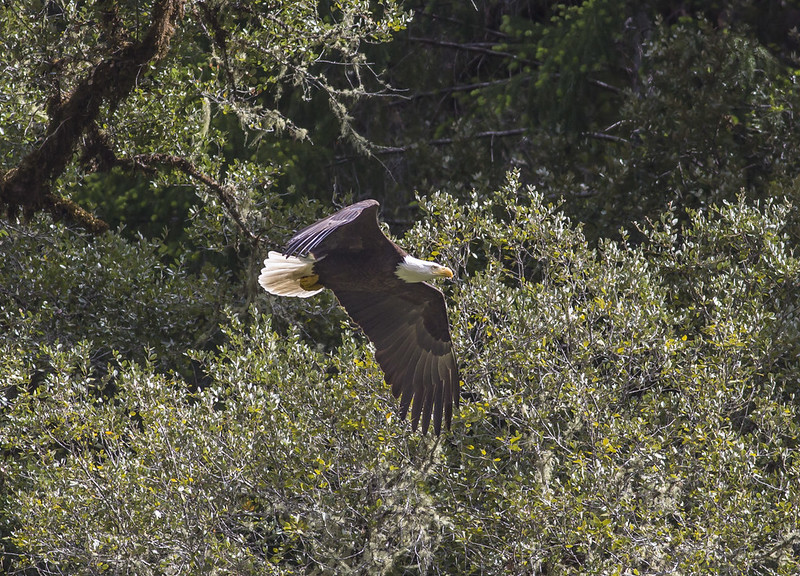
column 384, row 290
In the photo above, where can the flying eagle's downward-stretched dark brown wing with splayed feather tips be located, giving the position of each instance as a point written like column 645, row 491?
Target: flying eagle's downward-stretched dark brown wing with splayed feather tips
column 410, row 330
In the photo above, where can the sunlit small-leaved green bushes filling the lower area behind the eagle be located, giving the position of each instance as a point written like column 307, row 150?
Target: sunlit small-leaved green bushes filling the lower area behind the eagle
column 627, row 409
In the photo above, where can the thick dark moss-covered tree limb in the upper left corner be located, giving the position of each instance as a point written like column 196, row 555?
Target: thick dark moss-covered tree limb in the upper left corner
column 27, row 186
